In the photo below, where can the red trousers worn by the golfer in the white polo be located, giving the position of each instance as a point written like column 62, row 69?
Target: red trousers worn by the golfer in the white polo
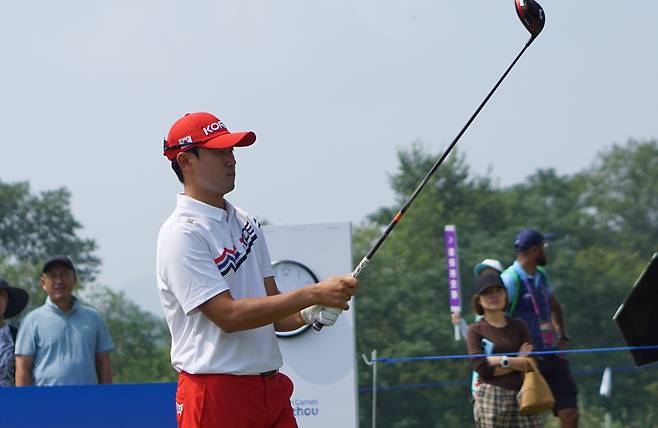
column 230, row 401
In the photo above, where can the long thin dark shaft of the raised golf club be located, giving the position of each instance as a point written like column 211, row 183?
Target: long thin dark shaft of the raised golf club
column 318, row 325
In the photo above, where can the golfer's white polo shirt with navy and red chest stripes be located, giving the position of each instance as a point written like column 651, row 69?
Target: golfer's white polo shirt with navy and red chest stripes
column 203, row 251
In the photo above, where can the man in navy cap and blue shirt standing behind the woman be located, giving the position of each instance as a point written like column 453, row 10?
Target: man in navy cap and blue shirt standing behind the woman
column 532, row 299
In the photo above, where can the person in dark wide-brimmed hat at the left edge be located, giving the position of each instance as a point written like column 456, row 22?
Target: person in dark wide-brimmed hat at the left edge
column 12, row 302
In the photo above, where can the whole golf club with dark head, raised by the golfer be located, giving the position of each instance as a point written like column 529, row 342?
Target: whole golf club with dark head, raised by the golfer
column 532, row 16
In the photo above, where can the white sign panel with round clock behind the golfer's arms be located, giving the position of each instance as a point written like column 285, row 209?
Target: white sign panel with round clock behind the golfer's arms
column 321, row 364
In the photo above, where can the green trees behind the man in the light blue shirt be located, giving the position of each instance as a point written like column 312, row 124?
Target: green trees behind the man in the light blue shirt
column 34, row 227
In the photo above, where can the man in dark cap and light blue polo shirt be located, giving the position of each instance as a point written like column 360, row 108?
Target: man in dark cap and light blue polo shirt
column 62, row 342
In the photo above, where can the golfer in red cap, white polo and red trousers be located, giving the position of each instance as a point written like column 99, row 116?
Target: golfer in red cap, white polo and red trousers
column 218, row 292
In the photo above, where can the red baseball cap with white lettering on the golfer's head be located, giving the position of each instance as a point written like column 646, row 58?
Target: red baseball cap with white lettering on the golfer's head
column 203, row 130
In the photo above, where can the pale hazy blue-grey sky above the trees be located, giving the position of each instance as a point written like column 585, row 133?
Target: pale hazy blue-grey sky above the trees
column 331, row 88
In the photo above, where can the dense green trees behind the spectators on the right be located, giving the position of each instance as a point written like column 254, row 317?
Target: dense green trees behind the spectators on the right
column 606, row 218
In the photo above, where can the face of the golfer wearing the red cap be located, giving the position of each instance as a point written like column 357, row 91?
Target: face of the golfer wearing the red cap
column 216, row 170
